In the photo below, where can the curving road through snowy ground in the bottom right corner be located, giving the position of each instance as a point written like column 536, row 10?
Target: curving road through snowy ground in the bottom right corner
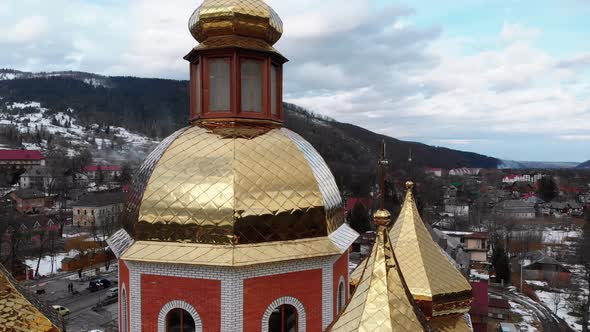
column 549, row 322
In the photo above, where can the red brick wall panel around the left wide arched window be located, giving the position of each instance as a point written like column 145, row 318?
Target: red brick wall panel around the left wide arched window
column 204, row 295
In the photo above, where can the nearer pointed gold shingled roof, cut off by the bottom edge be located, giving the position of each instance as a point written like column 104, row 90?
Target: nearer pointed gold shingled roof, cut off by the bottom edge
column 381, row 301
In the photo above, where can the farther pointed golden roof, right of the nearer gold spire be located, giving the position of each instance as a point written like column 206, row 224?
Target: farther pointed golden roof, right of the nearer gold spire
column 430, row 275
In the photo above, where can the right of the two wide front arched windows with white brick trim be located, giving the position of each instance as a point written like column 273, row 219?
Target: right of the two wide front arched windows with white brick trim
column 285, row 314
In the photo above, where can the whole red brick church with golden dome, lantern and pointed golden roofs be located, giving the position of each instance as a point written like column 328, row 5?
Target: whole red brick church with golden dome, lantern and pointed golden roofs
column 235, row 223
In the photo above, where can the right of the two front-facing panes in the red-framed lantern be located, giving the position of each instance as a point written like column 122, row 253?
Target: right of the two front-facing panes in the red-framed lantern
column 251, row 85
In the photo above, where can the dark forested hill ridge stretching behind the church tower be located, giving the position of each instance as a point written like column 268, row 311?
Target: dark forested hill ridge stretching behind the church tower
column 156, row 107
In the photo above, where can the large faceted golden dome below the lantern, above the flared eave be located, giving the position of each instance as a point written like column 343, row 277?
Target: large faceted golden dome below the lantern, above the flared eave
column 234, row 184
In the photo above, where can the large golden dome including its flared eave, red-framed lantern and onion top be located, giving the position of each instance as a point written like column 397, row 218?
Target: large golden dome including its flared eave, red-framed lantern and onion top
column 234, row 176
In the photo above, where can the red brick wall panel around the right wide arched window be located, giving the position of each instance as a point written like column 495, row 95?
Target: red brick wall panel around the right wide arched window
column 305, row 286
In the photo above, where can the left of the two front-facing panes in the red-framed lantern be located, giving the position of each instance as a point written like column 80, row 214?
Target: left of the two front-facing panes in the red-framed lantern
column 219, row 84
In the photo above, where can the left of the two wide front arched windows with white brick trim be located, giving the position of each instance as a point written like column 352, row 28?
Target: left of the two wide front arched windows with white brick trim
column 179, row 316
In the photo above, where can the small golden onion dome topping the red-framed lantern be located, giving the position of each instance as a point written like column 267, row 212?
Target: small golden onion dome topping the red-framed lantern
column 245, row 18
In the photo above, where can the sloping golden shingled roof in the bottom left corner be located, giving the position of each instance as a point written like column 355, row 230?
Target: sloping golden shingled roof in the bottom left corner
column 20, row 311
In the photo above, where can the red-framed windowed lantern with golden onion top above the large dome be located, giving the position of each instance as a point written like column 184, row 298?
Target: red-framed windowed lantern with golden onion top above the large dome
column 235, row 71
